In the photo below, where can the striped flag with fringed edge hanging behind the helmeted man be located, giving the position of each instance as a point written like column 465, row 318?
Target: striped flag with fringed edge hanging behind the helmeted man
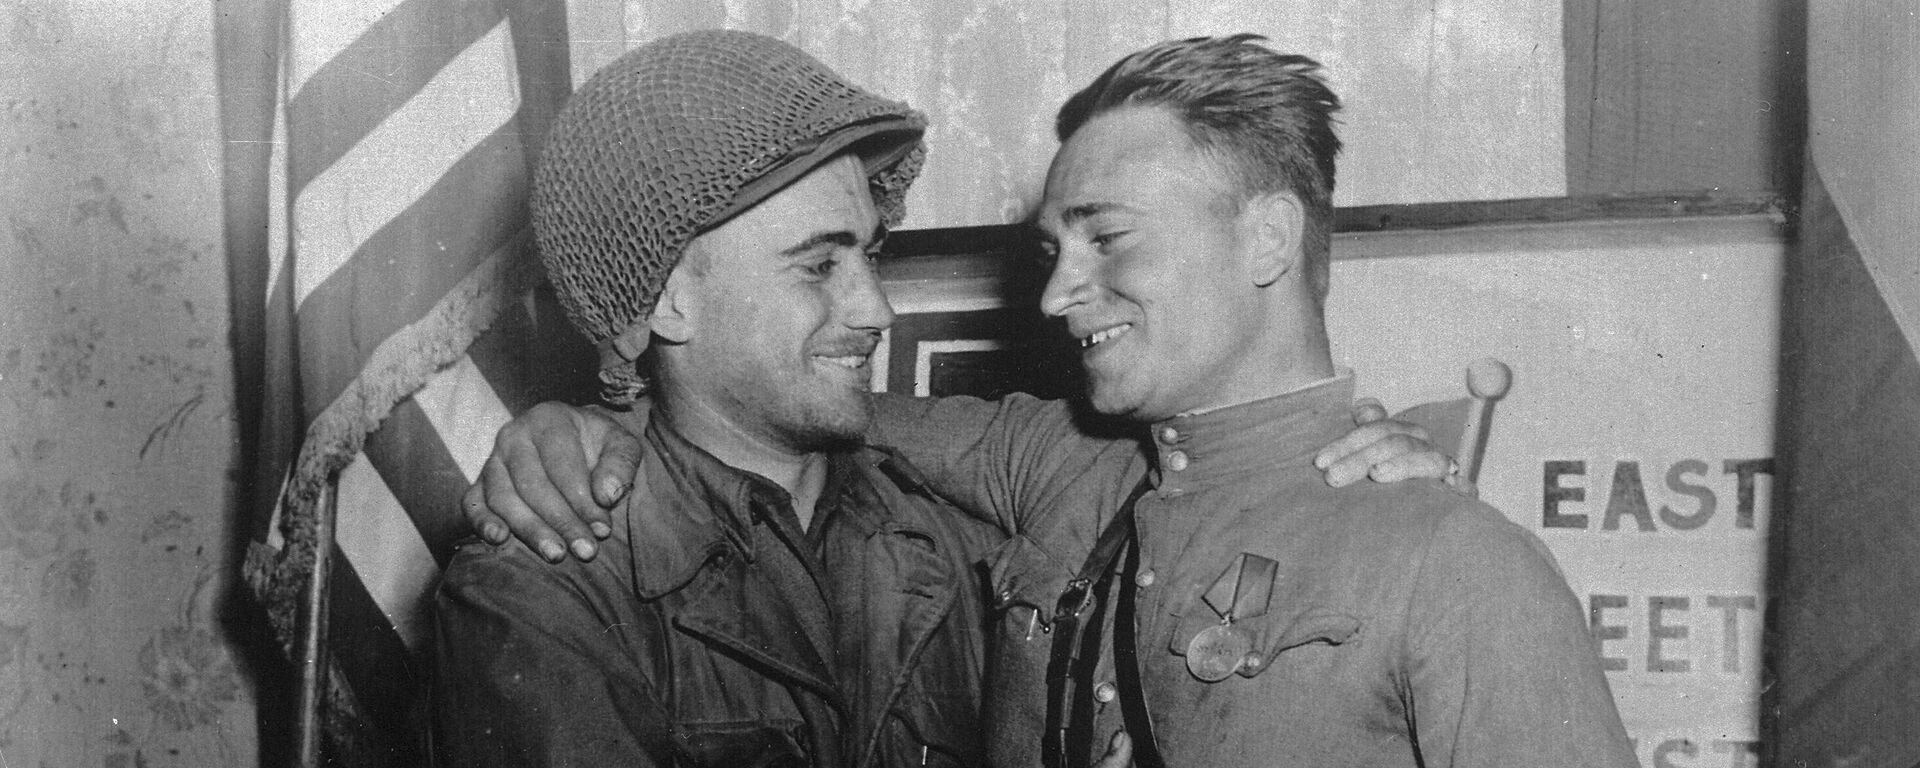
column 385, row 320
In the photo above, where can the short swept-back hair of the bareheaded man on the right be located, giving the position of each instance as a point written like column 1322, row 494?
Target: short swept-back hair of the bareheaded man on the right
column 1266, row 118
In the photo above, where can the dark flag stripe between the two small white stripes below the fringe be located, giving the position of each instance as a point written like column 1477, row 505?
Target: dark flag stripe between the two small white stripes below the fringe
column 421, row 473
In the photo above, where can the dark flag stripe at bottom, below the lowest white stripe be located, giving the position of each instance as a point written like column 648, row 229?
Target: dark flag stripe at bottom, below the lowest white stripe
column 385, row 677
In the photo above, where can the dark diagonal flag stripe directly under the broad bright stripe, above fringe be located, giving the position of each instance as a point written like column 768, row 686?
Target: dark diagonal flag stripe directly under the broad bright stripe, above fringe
column 406, row 268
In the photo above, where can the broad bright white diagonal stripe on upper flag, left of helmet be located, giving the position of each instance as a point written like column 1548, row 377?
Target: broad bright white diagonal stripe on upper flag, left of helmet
column 400, row 160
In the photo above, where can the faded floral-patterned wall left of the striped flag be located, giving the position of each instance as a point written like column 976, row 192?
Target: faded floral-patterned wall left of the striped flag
column 114, row 393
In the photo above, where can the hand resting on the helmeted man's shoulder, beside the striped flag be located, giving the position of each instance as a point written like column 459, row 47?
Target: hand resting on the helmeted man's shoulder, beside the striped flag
column 539, row 489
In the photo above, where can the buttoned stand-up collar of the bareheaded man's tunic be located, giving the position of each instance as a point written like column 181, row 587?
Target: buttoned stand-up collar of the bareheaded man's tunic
column 1205, row 450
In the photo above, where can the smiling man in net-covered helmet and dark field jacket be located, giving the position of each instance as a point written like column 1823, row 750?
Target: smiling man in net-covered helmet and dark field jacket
column 708, row 210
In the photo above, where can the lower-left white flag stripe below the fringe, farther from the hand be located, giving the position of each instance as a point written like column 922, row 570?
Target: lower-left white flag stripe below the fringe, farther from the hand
column 387, row 550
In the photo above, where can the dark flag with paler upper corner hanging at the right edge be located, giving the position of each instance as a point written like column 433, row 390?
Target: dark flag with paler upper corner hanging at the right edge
column 1846, row 548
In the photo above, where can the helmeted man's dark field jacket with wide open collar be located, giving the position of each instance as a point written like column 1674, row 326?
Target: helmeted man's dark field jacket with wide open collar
column 715, row 633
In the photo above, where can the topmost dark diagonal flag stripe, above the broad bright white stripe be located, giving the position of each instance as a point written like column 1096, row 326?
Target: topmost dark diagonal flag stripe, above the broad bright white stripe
column 375, row 76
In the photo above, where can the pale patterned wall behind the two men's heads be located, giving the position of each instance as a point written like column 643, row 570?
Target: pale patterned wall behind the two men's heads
column 1445, row 101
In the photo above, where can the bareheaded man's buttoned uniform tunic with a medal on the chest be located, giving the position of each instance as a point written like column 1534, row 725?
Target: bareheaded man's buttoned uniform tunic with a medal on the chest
column 1406, row 625
